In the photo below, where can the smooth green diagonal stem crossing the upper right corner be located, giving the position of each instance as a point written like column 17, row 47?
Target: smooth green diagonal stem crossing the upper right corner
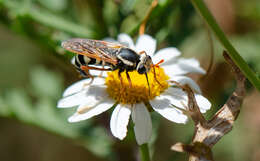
column 239, row 61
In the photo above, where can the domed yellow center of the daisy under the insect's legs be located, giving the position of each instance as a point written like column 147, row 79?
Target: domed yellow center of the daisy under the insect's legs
column 124, row 93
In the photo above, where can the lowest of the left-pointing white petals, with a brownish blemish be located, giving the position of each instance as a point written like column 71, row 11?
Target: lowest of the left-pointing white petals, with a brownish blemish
column 88, row 112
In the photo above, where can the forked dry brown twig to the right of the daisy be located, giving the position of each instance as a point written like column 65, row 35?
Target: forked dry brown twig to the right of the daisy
column 208, row 133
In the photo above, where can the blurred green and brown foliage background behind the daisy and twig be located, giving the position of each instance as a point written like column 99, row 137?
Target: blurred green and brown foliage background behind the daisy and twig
column 34, row 70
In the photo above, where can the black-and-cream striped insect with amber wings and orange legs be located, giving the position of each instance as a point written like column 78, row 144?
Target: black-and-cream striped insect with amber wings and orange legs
column 107, row 56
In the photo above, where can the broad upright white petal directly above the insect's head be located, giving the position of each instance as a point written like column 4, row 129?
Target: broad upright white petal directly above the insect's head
column 146, row 43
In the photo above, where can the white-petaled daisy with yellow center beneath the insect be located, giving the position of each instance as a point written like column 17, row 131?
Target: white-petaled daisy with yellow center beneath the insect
column 137, row 100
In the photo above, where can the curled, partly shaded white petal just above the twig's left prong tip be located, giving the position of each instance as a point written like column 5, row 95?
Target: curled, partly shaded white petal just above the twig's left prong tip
column 186, row 80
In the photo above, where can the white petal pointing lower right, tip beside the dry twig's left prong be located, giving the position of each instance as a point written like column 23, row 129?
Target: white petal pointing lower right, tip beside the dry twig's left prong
column 163, row 106
